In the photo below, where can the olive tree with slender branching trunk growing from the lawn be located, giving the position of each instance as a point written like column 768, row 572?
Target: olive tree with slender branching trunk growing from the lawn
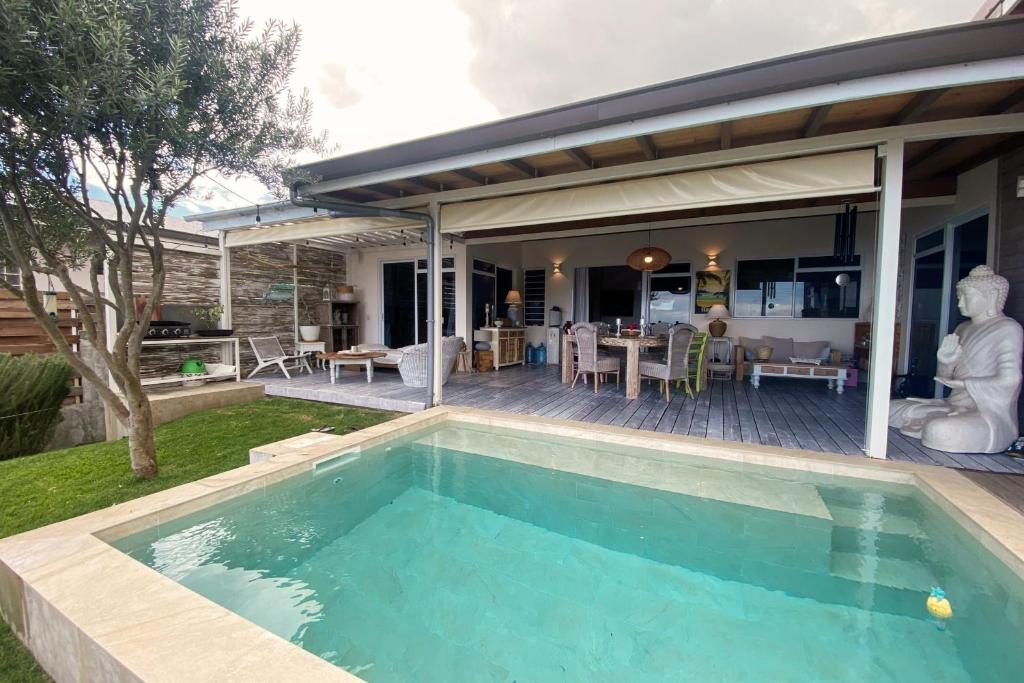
column 130, row 102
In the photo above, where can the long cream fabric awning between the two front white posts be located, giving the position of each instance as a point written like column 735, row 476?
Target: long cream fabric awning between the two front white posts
column 824, row 176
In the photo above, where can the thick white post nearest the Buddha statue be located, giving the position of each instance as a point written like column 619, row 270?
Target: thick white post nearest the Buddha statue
column 884, row 318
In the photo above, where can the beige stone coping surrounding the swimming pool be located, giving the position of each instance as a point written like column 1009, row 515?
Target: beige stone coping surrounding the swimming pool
column 90, row 613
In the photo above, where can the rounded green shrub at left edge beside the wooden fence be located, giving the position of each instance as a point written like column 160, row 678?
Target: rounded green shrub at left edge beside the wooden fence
column 32, row 389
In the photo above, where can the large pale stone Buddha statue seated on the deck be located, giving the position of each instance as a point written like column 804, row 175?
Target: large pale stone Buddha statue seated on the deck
column 982, row 363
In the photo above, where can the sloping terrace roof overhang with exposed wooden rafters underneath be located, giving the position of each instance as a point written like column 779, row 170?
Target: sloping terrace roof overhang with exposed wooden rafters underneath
column 954, row 95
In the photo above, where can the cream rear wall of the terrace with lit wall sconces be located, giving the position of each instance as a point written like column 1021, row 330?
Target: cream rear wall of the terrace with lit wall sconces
column 732, row 242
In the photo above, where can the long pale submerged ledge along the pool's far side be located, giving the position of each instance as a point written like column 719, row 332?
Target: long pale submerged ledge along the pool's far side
column 719, row 482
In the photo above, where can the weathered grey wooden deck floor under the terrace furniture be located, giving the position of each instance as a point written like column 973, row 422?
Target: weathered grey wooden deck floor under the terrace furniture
column 793, row 415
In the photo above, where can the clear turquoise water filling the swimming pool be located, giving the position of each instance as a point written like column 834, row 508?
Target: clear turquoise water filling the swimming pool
column 418, row 562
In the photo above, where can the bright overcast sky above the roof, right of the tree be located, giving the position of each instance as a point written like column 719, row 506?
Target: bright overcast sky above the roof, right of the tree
column 389, row 71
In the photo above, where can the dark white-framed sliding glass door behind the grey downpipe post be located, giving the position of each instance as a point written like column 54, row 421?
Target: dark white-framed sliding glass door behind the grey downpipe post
column 404, row 302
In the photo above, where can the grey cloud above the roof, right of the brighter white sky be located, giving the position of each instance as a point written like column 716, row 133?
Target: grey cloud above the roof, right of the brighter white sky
column 533, row 55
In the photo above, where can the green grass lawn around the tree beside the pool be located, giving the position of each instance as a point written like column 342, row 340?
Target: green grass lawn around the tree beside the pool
column 49, row 488
